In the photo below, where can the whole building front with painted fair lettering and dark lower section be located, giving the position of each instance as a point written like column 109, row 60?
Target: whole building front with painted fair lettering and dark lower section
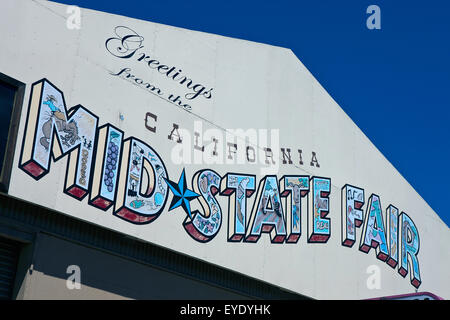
column 144, row 161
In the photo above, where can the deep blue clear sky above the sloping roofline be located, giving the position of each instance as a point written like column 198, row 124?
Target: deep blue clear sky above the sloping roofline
column 393, row 82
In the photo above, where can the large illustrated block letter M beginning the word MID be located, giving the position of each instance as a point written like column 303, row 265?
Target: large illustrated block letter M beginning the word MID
column 51, row 129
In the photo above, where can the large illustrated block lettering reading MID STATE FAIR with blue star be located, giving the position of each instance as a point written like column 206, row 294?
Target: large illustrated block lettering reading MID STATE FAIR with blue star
column 126, row 176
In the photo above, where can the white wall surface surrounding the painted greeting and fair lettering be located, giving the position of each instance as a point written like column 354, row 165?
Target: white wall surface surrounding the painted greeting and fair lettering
column 256, row 86
